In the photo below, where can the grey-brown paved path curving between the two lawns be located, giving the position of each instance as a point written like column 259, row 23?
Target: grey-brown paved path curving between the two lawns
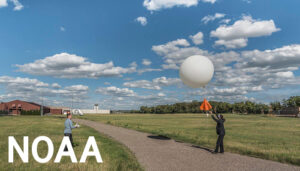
column 156, row 153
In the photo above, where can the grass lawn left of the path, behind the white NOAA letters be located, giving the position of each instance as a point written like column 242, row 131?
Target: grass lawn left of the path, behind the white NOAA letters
column 115, row 156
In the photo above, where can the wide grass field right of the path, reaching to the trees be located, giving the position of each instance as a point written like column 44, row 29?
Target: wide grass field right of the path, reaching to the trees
column 260, row 136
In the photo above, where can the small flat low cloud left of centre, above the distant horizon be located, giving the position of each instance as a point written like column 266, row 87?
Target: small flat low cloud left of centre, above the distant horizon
column 115, row 91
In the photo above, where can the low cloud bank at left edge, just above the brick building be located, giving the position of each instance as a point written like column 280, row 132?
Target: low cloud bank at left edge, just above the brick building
column 35, row 90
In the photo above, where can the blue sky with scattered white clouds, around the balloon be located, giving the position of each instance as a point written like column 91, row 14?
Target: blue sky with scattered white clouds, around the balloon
column 126, row 54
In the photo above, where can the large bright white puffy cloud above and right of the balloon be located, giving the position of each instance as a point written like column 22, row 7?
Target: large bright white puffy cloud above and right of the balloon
column 241, row 30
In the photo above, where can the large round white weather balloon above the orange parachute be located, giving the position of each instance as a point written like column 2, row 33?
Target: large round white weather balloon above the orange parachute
column 196, row 71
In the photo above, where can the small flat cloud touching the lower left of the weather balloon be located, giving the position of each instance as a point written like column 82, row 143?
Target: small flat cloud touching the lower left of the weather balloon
column 155, row 84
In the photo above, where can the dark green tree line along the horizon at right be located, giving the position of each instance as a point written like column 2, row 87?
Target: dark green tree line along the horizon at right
column 247, row 107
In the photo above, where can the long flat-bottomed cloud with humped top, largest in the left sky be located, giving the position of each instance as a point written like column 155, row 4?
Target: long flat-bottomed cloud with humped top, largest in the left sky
column 66, row 65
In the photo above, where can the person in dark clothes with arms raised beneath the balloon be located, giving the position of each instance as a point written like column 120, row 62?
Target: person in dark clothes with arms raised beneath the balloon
column 220, row 131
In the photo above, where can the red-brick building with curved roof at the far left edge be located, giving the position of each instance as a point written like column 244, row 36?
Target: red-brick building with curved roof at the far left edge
column 16, row 106
